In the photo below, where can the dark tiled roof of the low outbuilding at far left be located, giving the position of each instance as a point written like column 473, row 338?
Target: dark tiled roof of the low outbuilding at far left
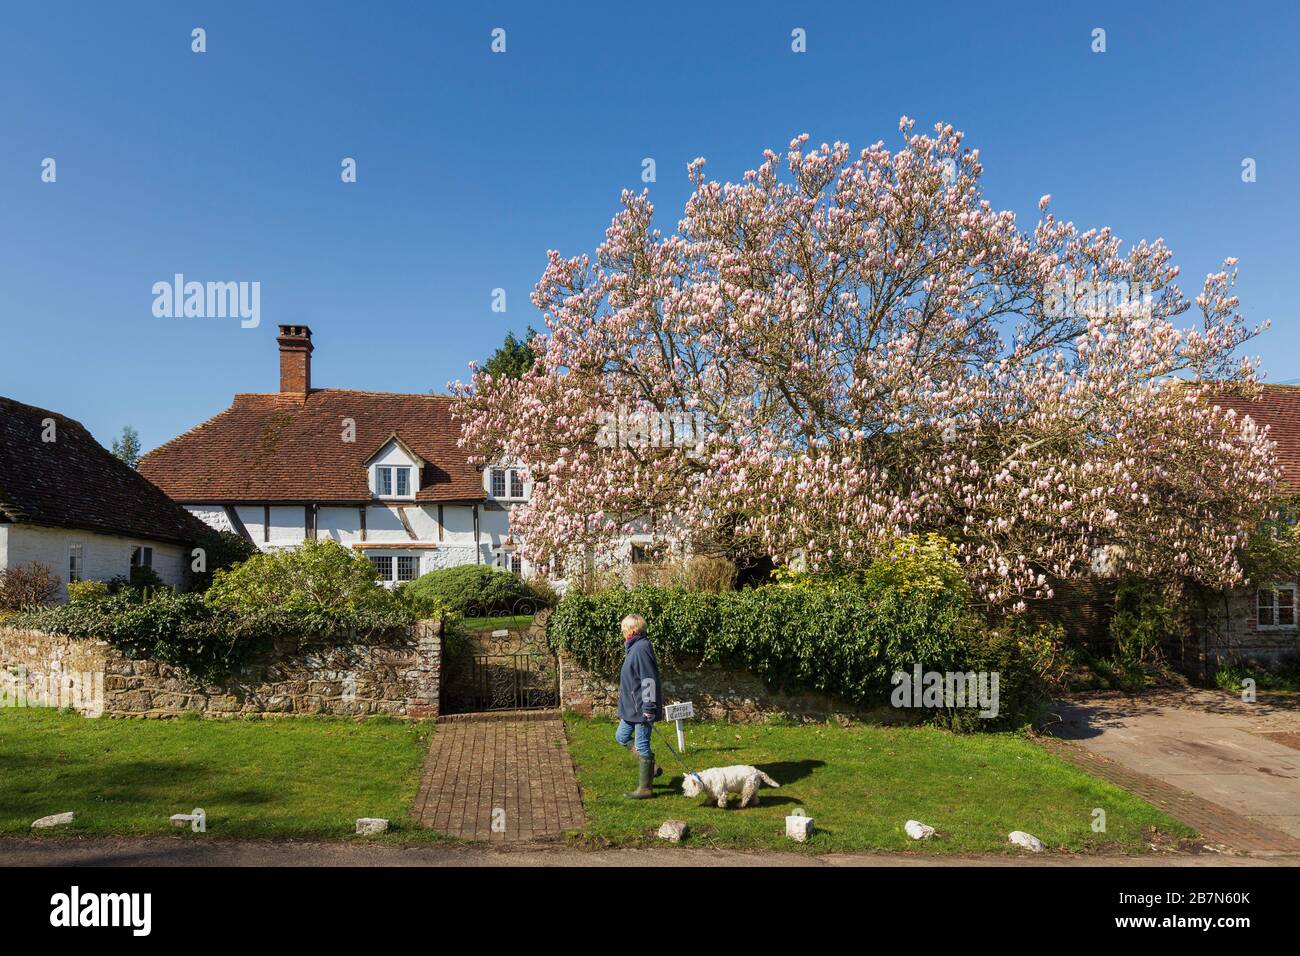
column 73, row 482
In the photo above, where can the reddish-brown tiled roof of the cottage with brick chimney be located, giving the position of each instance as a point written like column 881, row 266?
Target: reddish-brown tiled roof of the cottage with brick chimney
column 283, row 448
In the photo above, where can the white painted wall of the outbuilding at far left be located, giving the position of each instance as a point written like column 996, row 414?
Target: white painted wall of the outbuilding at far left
column 103, row 556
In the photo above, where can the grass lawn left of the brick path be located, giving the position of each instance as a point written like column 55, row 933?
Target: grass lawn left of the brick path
column 272, row 778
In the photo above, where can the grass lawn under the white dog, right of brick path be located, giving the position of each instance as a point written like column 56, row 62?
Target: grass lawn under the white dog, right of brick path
column 861, row 785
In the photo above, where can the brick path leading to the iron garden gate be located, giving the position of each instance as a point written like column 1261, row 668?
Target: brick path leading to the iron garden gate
column 515, row 772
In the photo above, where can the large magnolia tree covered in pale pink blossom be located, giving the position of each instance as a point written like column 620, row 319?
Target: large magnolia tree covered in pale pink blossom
column 840, row 352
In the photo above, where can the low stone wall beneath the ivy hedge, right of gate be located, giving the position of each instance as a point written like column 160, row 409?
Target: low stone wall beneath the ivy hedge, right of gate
column 718, row 695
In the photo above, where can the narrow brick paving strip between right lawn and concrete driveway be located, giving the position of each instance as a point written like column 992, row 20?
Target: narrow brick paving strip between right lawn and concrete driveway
column 1216, row 824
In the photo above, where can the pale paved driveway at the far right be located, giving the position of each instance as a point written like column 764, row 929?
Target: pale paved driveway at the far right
column 1214, row 747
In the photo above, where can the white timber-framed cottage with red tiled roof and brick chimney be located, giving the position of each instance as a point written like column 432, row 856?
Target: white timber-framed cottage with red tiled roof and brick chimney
column 375, row 471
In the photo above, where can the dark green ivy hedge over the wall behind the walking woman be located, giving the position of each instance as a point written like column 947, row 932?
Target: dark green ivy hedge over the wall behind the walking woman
column 847, row 641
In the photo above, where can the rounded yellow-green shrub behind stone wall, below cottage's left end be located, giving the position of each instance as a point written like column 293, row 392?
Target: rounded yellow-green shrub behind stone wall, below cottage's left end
column 315, row 578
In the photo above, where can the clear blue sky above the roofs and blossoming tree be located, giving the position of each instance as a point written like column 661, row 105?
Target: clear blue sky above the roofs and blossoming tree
column 226, row 166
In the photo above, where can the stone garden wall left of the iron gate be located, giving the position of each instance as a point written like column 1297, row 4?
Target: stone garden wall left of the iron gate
column 398, row 674
